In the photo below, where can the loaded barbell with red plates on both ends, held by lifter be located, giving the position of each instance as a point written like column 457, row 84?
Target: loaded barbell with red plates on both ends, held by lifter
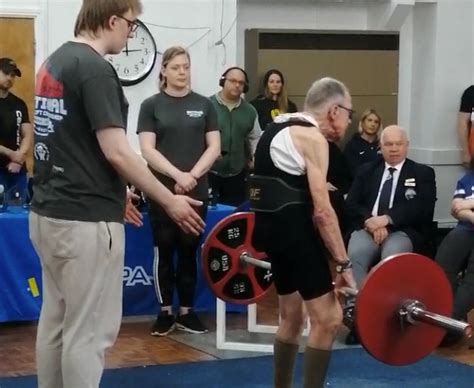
column 401, row 313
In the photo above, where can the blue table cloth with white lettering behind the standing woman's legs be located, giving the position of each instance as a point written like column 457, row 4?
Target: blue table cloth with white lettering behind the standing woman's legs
column 20, row 271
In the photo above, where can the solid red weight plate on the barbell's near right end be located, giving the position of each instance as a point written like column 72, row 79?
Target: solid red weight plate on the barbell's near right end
column 392, row 281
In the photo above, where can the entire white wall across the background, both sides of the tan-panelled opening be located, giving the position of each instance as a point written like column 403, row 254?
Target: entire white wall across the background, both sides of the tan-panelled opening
column 436, row 54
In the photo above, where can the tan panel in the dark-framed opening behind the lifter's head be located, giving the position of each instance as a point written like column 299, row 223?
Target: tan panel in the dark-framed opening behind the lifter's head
column 371, row 76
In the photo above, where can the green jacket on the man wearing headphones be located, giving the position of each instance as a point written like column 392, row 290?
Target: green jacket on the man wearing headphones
column 240, row 132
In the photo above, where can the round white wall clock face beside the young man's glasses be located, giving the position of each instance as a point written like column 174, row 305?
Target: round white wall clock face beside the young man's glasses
column 137, row 58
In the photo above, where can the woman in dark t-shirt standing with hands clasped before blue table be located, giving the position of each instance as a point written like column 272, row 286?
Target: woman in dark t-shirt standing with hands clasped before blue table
column 180, row 140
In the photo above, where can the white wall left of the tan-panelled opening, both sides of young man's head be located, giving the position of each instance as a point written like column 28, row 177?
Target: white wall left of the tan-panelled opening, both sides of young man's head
column 172, row 22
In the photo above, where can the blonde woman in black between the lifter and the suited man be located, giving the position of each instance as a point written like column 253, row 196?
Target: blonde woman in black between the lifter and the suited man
column 364, row 145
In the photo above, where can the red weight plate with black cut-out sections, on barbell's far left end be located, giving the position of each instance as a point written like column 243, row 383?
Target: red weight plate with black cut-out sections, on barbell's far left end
column 228, row 278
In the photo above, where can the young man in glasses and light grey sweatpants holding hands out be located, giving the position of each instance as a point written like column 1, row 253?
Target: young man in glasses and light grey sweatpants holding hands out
column 82, row 159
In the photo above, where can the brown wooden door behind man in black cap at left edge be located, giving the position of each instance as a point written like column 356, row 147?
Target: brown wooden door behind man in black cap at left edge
column 17, row 42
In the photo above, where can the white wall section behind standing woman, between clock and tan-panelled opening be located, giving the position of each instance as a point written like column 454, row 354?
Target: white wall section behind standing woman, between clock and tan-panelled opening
column 208, row 61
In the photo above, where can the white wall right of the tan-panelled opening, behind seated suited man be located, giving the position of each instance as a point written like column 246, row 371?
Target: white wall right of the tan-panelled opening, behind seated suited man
column 436, row 57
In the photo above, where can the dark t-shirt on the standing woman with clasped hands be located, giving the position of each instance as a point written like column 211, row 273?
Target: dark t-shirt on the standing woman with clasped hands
column 180, row 125
